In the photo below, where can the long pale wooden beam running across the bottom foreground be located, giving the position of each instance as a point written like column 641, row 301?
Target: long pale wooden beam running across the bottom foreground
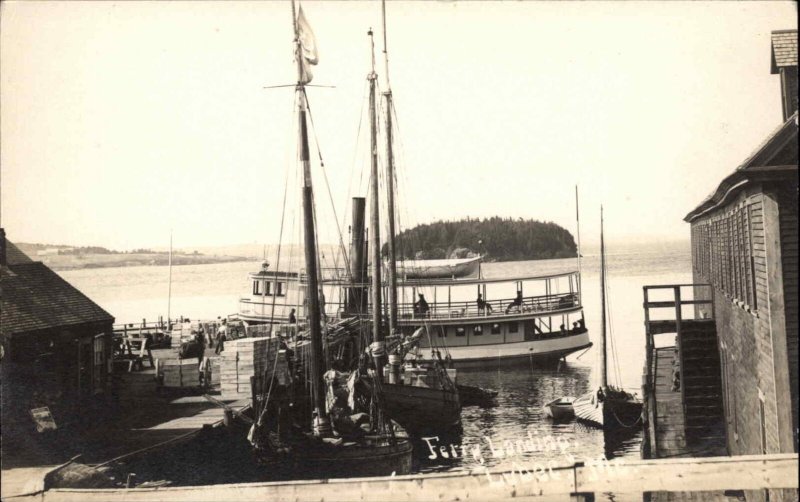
column 624, row 480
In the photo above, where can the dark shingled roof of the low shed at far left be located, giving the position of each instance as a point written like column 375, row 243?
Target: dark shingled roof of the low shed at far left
column 33, row 297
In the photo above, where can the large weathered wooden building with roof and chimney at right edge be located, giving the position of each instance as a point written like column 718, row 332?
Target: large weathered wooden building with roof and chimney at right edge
column 744, row 243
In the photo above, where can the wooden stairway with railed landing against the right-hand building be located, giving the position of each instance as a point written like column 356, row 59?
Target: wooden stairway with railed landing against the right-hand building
column 682, row 384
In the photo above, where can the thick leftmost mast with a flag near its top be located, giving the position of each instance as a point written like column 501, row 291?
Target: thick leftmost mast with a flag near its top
column 322, row 425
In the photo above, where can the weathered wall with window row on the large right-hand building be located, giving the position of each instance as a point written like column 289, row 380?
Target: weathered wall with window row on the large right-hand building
column 738, row 247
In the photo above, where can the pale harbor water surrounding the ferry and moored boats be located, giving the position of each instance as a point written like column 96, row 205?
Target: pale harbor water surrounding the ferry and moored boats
column 514, row 430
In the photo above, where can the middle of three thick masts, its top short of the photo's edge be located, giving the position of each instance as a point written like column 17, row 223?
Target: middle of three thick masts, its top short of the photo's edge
column 375, row 241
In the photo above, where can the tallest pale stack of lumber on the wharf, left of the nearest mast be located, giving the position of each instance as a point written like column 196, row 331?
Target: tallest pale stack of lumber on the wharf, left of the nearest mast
column 242, row 359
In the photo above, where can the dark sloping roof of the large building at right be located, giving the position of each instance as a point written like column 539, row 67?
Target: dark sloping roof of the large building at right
column 774, row 159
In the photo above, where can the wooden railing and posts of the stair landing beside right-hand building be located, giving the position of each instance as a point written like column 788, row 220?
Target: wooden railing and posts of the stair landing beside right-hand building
column 673, row 325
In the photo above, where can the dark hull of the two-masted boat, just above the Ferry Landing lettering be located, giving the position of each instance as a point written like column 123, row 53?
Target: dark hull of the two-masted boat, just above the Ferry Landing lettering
column 421, row 409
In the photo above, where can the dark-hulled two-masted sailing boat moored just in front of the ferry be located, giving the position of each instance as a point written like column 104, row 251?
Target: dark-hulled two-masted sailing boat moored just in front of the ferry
column 427, row 400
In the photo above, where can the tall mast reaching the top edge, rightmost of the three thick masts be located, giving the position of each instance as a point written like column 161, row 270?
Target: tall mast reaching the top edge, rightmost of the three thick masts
column 390, row 187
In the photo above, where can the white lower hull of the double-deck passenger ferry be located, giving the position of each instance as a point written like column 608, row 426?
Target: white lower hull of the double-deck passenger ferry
column 537, row 352
